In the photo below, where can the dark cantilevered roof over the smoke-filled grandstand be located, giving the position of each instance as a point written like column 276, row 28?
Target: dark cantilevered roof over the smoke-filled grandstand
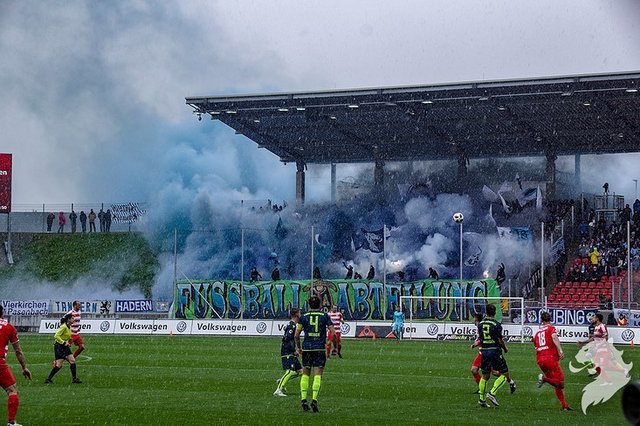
column 582, row 114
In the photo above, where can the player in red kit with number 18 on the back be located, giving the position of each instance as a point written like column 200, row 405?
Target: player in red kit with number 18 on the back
column 548, row 356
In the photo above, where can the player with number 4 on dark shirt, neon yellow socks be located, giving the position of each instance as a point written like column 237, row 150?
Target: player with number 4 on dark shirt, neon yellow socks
column 314, row 324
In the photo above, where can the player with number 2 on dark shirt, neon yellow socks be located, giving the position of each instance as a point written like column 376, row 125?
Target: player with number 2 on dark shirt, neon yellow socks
column 492, row 345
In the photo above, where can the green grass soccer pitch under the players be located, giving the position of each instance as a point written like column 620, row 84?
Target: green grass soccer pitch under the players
column 168, row 380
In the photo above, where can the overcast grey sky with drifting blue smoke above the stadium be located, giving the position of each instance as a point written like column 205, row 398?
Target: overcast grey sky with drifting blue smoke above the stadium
column 93, row 92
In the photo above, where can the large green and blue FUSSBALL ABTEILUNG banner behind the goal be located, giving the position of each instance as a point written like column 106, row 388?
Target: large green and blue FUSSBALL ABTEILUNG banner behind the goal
column 358, row 300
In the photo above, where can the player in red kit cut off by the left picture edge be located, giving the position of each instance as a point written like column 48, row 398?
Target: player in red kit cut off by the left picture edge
column 8, row 334
